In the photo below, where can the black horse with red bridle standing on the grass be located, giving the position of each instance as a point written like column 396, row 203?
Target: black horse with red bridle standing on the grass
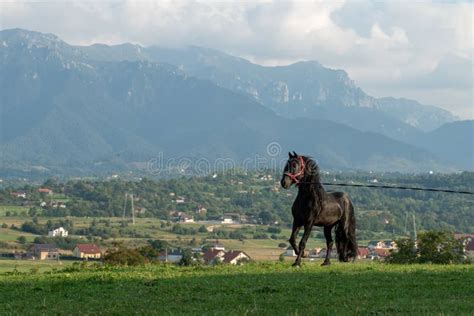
column 314, row 207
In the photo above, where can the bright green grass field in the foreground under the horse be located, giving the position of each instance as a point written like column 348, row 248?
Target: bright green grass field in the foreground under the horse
column 256, row 289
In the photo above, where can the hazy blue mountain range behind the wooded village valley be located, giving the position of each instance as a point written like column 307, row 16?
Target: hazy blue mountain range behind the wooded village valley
column 65, row 105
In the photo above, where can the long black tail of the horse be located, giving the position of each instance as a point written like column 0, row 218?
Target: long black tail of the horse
column 346, row 243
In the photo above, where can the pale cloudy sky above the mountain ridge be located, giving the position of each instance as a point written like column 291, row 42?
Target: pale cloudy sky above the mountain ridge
column 421, row 50
